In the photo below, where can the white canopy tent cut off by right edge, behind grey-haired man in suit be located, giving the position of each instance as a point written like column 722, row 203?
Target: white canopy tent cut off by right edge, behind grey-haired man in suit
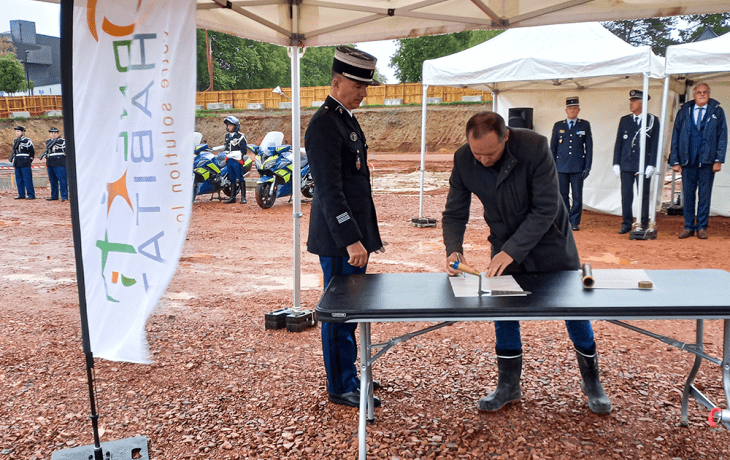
column 706, row 61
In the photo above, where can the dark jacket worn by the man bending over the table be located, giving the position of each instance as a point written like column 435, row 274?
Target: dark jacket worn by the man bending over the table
column 526, row 215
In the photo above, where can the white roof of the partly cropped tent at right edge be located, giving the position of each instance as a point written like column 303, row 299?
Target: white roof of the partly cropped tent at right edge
column 704, row 56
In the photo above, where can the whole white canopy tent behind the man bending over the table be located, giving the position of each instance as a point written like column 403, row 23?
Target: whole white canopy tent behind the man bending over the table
column 540, row 66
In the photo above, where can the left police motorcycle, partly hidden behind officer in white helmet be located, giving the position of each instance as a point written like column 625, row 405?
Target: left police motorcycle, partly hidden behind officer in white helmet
column 210, row 171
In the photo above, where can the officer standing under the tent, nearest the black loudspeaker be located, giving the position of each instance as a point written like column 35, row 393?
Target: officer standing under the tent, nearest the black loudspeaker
column 572, row 147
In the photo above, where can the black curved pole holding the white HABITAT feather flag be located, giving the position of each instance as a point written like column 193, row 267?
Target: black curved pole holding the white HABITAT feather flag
column 67, row 7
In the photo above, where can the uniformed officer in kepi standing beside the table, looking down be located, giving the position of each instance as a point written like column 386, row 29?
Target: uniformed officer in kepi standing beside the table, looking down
column 343, row 226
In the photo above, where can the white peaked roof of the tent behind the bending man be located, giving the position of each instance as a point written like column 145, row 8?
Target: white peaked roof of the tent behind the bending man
column 554, row 55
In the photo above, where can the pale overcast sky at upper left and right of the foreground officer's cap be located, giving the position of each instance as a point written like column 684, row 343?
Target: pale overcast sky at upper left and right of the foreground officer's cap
column 47, row 19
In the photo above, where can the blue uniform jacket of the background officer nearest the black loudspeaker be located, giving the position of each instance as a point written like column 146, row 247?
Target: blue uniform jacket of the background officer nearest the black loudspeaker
column 572, row 148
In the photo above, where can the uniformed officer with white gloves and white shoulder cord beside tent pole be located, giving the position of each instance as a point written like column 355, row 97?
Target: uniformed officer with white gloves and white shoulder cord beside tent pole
column 626, row 154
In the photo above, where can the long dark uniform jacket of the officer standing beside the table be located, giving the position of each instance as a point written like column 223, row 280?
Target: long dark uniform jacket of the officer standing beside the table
column 343, row 211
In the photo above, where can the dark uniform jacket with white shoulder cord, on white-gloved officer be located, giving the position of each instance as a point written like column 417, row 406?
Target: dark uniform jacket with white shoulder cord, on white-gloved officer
column 626, row 151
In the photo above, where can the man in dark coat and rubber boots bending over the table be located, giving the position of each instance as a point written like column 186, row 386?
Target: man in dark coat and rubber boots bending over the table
column 513, row 174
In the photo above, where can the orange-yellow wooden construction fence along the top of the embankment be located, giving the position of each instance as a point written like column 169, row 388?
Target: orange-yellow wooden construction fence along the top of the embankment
column 400, row 94
